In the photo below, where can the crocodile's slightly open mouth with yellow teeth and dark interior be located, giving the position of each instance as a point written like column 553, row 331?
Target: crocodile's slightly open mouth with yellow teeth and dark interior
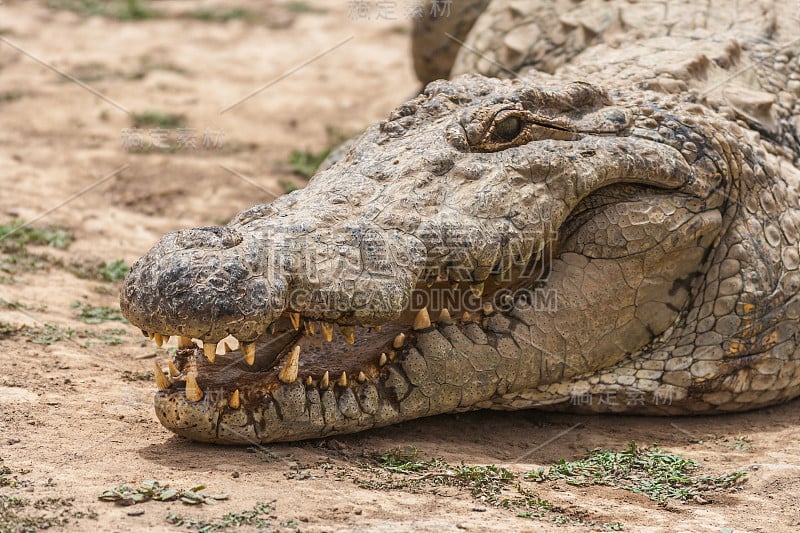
column 316, row 353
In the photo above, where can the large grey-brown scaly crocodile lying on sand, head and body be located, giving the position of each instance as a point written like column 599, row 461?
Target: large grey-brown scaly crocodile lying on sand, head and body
column 616, row 229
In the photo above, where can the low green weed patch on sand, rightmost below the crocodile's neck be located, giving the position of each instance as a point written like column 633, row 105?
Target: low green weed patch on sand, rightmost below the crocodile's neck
column 650, row 471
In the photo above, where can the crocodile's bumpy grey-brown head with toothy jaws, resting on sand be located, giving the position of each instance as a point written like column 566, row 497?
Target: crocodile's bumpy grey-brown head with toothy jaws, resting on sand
column 490, row 237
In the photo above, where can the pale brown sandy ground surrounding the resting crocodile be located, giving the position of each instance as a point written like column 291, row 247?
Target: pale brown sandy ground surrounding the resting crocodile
column 74, row 418
